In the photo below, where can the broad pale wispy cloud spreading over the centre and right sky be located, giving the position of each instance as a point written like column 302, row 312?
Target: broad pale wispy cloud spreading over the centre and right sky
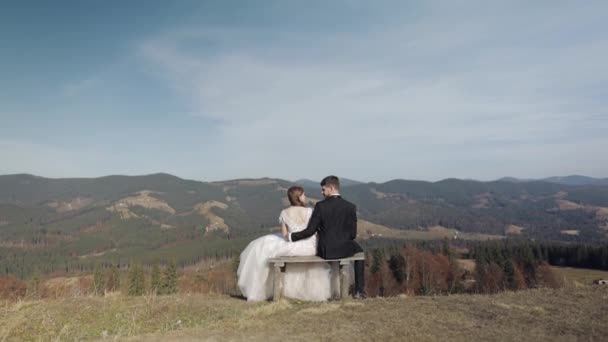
column 466, row 84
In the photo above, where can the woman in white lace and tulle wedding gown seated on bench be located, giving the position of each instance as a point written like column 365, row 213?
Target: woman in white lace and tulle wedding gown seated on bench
column 301, row 281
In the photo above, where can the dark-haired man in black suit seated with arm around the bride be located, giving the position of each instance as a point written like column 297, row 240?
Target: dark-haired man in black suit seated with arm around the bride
column 335, row 219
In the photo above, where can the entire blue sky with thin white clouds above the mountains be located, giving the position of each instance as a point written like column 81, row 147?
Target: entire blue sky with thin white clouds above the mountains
column 213, row 90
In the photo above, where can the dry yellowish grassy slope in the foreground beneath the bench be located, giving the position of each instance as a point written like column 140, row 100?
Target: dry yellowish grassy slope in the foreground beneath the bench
column 561, row 315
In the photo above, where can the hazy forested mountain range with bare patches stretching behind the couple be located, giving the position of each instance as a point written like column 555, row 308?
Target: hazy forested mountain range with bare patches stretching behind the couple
column 50, row 224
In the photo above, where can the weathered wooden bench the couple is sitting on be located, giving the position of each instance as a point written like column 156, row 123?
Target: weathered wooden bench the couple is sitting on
column 279, row 263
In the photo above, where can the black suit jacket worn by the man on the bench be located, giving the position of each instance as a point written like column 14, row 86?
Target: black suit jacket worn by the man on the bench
column 335, row 219
